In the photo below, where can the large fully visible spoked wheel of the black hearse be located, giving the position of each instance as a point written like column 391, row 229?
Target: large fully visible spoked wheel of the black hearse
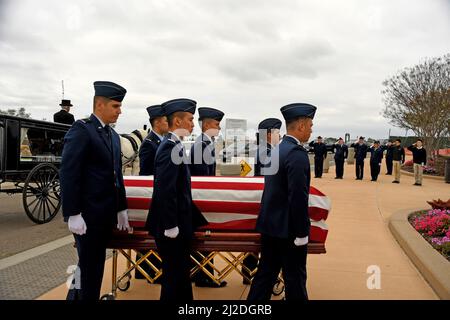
column 41, row 193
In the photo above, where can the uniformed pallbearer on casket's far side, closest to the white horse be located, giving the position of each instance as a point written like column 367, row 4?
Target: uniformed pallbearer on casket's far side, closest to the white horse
column 147, row 153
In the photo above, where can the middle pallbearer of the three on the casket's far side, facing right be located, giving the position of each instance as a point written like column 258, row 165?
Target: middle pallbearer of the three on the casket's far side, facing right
column 203, row 163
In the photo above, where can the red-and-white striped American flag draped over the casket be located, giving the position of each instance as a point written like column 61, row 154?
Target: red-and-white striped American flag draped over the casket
column 228, row 203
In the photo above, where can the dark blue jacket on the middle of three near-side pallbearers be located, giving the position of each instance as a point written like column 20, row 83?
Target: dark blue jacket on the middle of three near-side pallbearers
column 172, row 204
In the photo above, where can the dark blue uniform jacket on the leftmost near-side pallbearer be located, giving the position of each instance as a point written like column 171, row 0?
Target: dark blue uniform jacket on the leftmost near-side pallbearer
column 91, row 174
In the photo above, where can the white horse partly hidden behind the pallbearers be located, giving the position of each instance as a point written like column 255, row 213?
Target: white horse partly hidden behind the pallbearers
column 130, row 144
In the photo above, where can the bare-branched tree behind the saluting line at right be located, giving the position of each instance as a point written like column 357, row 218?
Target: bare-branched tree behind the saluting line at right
column 418, row 99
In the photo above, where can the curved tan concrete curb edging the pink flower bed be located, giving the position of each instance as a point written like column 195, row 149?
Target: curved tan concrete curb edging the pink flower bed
column 431, row 264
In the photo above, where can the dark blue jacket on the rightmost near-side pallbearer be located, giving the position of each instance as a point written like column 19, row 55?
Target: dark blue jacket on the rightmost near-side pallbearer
column 284, row 204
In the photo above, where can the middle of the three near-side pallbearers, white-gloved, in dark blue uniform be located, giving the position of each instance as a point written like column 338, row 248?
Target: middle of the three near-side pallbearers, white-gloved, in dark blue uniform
column 173, row 217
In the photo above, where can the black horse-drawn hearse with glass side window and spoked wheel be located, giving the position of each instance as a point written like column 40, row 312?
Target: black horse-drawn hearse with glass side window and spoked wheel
column 30, row 155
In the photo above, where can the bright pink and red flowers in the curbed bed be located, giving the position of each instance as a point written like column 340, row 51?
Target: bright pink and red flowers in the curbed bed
column 434, row 225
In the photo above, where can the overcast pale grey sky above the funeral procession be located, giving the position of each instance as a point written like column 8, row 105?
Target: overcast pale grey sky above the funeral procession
column 247, row 58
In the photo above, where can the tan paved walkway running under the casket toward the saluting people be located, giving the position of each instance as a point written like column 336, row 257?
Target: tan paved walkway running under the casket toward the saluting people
column 358, row 238
